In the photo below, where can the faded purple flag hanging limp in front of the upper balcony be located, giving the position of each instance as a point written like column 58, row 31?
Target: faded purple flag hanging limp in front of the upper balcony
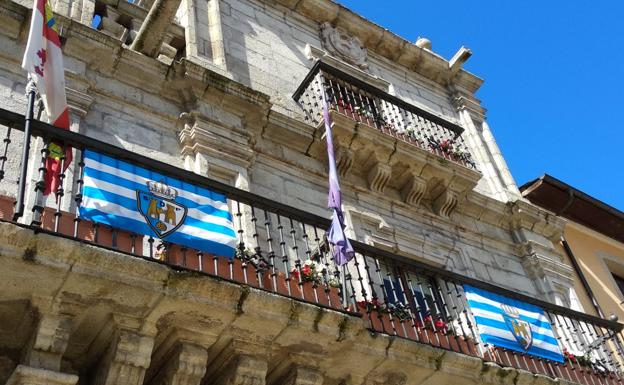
column 343, row 251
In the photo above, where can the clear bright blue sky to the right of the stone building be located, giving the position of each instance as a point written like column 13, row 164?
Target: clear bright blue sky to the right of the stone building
column 554, row 79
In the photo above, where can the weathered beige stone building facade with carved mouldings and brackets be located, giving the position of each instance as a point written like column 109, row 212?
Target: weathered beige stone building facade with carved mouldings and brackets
column 207, row 86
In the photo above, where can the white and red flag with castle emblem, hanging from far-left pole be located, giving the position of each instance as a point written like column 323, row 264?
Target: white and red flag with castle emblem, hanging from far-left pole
column 43, row 60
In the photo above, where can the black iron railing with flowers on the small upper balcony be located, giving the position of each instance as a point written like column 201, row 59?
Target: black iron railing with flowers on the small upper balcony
column 369, row 105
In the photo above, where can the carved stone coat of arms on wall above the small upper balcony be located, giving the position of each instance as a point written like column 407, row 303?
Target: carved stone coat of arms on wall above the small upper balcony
column 347, row 47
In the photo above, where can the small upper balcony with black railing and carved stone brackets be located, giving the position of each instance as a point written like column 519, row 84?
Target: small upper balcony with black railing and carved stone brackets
column 400, row 150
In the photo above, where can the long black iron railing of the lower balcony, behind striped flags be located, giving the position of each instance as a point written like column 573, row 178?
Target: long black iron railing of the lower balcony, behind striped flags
column 284, row 250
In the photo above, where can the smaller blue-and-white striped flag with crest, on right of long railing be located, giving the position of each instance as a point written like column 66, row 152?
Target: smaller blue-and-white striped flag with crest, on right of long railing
column 512, row 324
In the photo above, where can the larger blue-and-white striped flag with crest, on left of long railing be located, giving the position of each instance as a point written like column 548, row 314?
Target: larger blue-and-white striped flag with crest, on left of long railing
column 132, row 198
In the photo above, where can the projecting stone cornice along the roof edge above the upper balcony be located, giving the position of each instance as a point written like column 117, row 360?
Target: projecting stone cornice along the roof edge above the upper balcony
column 383, row 42
